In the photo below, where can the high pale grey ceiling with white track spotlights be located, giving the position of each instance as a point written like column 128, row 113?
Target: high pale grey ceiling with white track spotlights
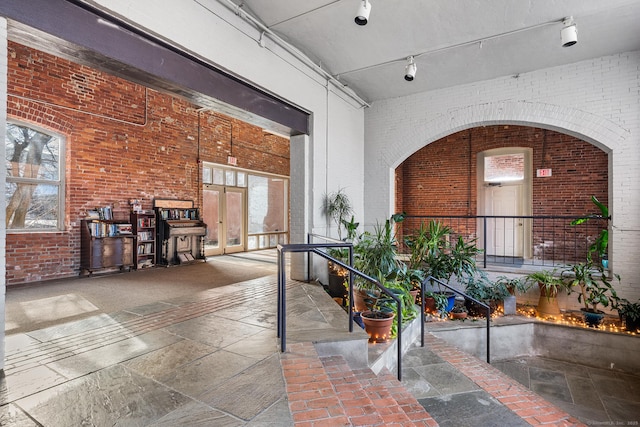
column 453, row 41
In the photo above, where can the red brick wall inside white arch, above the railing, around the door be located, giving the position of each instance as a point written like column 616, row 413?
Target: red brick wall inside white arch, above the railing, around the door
column 441, row 178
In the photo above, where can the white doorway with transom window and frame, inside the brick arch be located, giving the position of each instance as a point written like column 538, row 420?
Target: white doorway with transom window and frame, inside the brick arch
column 504, row 197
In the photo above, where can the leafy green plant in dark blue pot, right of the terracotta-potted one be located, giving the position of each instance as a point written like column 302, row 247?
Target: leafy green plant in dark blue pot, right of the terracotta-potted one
column 595, row 289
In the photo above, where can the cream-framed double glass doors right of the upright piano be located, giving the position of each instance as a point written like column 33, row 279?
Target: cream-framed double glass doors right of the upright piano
column 225, row 213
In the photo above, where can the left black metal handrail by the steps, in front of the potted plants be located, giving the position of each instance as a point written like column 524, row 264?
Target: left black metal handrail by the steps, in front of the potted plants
column 314, row 248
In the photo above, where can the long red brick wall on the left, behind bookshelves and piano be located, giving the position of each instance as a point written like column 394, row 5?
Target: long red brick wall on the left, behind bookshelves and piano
column 123, row 141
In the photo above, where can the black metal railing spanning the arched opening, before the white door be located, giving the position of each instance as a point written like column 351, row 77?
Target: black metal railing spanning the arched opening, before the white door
column 520, row 240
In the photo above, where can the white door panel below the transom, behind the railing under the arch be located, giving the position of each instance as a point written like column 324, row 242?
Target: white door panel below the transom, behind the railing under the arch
column 504, row 235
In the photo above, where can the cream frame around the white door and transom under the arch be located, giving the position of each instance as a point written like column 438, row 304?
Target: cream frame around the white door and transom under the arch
column 526, row 197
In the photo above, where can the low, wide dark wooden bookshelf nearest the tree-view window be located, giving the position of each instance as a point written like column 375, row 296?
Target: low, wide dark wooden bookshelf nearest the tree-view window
column 105, row 244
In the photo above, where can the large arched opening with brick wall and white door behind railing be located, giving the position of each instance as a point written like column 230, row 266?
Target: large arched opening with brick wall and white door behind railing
column 446, row 180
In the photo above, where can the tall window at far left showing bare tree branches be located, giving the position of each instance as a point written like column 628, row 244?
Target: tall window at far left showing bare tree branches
column 34, row 190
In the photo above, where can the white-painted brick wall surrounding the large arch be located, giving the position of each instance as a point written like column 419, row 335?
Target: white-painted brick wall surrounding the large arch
column 596, row 100
